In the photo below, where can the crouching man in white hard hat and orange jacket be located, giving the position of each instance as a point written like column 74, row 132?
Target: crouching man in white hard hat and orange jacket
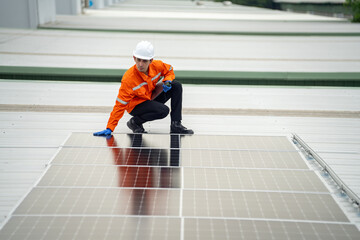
column 135, row 94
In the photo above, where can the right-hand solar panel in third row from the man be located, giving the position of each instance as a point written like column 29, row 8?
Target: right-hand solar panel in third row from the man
column 252, row 179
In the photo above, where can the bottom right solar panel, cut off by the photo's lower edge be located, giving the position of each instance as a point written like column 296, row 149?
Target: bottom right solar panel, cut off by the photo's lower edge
column 260, row 229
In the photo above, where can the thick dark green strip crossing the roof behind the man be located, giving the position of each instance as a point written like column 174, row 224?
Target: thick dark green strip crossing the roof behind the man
column 336, row 79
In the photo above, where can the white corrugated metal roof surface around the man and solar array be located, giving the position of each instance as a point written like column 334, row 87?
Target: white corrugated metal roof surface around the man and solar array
column 36, row 117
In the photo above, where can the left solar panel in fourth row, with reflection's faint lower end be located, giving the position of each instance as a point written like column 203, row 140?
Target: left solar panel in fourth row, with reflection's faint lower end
column 100, row 201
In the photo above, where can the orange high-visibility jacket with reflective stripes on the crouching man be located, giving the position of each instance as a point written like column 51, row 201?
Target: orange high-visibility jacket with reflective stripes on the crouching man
column 136, row 87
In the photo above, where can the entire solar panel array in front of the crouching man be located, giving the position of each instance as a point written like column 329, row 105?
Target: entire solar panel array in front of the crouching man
column 153, row 186
